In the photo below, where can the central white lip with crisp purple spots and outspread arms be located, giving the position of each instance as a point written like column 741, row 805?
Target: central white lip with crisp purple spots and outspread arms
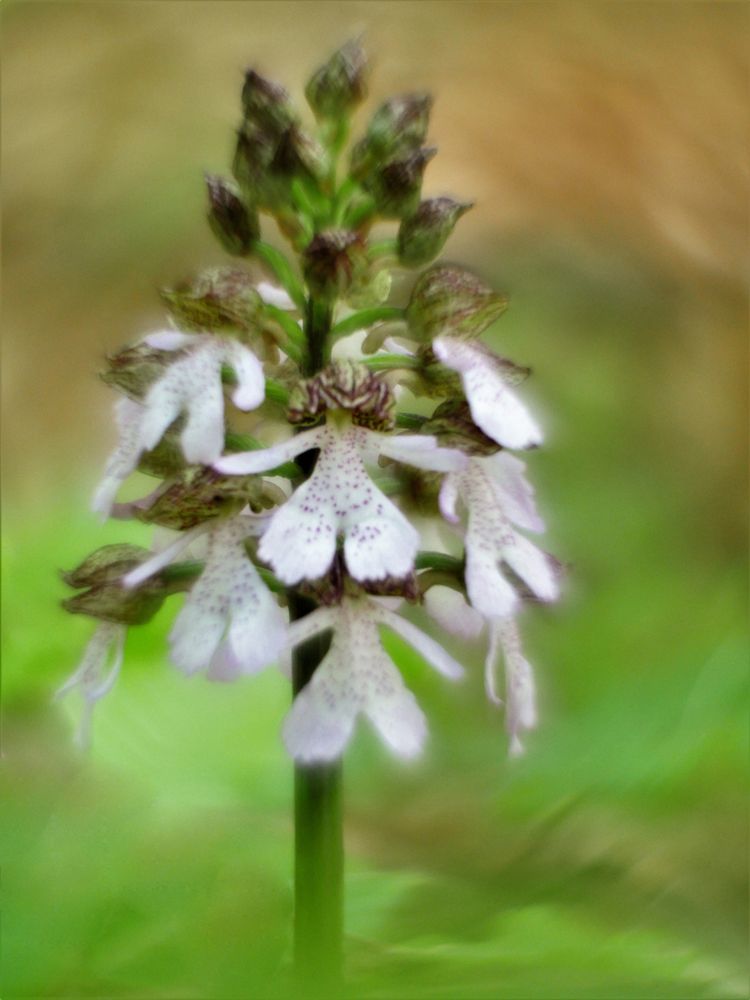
column 340, row 498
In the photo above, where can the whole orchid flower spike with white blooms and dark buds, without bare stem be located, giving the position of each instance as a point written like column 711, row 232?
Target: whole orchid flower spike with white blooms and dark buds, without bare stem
column 379, row 428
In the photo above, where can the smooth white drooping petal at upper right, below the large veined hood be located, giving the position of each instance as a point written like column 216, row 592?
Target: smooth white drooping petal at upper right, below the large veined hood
column 494, row 408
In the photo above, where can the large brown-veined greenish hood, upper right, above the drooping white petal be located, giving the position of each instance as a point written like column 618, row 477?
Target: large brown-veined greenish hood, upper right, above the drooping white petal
column 451, row 300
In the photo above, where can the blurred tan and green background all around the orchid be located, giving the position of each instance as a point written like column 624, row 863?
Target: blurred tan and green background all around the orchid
column 612, row 860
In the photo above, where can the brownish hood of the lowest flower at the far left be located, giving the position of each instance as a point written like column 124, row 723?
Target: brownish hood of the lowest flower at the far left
column 105, row 597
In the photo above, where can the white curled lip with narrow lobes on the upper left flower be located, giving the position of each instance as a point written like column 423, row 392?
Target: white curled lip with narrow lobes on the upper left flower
column 190, row 384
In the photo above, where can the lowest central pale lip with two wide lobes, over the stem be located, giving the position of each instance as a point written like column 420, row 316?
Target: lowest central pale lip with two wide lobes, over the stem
column 357, row 677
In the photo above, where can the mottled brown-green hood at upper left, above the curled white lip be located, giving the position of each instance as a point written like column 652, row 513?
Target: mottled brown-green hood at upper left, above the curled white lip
column 220, row 299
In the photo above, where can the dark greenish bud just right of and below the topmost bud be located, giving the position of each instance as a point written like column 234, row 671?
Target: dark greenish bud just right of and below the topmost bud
column 398, row 127
